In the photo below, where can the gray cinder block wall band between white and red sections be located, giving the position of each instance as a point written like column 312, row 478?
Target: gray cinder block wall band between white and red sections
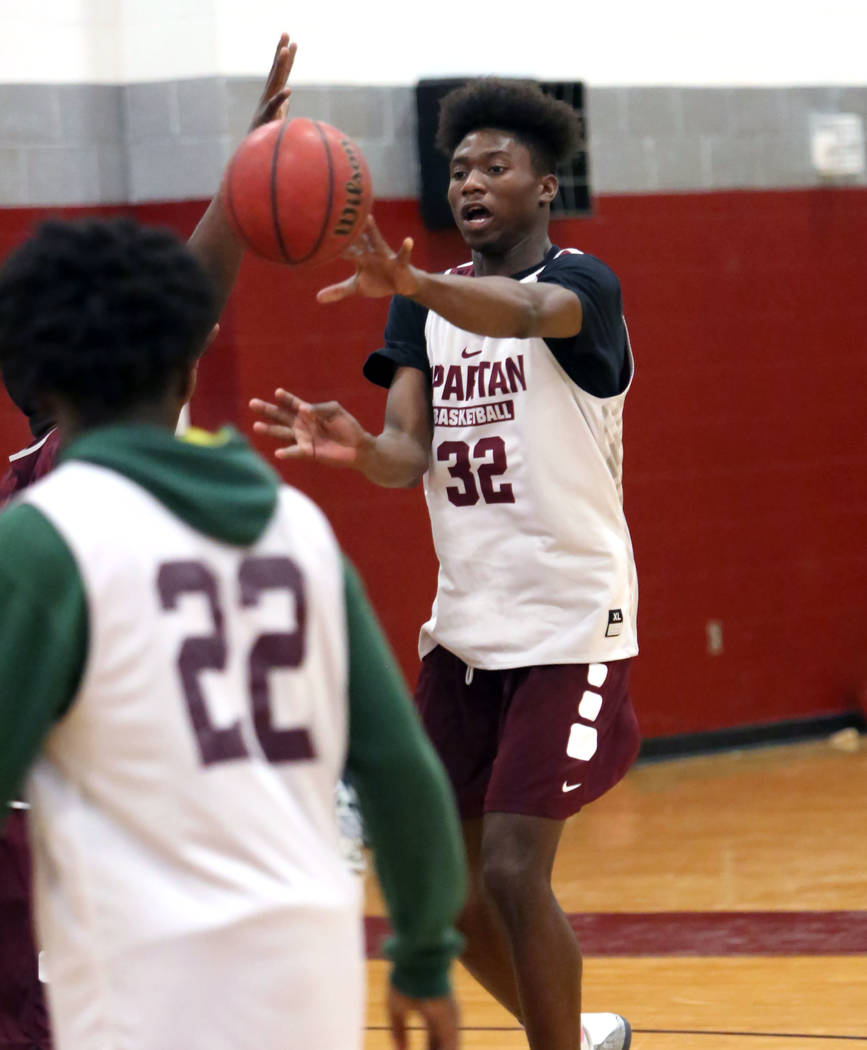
column 98, row 144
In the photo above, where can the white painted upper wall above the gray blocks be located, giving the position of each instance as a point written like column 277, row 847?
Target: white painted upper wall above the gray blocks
column 604, row 43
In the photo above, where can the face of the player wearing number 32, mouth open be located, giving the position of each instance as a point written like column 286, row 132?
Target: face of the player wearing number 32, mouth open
column 496, row 197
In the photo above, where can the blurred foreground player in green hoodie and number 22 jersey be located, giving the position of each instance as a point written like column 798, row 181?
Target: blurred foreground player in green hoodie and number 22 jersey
column 184, row 654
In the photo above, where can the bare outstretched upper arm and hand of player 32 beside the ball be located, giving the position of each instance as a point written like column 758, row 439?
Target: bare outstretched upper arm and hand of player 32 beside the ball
column 497, row 307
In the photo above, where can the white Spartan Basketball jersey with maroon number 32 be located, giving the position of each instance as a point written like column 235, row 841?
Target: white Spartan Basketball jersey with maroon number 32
column 524, row 491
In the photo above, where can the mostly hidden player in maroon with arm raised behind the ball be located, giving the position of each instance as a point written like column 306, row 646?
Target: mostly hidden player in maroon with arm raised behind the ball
column 24, row 1018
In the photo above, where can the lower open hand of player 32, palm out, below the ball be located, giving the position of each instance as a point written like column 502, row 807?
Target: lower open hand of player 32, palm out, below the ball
column 325, row 432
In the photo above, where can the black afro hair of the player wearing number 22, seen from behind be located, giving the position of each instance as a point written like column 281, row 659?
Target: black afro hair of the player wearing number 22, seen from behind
column 104, row 313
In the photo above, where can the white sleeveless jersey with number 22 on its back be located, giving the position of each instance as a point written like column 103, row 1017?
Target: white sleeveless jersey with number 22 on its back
column 184, row 807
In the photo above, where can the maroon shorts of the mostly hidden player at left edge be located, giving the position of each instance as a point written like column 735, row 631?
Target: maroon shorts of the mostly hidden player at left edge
column 24, row 1017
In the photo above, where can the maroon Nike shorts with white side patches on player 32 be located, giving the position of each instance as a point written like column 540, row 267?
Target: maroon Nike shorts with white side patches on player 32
column 539, row 741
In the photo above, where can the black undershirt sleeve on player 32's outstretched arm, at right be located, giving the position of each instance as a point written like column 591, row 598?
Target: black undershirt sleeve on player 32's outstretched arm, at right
column 597, row 359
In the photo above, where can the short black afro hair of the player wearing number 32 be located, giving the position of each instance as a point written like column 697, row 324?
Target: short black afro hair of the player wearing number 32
column 549, row 129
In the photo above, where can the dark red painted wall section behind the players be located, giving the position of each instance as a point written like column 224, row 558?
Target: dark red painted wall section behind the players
column 746, row 469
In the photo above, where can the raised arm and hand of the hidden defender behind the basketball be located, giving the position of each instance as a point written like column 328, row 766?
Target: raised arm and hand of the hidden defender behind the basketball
column 214, row 241
